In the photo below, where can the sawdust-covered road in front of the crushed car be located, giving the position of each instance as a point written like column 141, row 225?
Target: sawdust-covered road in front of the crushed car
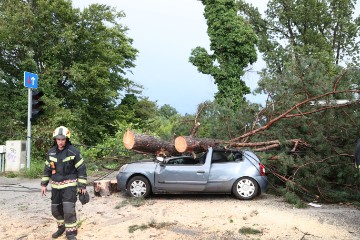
column 25, row 214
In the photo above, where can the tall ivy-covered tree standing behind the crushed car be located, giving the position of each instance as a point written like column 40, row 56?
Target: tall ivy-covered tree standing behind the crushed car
column 232, row 42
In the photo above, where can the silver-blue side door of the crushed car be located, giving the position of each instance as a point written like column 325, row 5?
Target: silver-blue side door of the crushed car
column 181, row 174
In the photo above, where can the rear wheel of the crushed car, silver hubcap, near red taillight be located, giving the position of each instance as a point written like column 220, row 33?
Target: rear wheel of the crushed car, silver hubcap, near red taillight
column 245, row 188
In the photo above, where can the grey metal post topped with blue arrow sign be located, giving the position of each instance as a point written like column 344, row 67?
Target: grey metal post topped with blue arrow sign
column 30, row 81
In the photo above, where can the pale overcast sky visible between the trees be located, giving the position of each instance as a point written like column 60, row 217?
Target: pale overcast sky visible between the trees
column 164, row 32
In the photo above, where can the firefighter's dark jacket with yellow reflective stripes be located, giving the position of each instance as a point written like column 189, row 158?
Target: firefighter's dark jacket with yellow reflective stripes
column 64, row 168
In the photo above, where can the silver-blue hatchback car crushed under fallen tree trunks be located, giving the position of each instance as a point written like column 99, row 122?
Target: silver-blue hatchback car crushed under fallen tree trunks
column 214, row 171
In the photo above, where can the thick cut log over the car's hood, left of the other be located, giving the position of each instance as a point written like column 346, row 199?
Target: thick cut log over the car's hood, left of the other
column 148, row 144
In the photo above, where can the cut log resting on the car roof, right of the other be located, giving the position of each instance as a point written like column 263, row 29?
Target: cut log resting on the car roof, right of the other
column 191, row 144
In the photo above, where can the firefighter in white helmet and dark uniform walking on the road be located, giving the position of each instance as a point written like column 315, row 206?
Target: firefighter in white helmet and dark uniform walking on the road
column 66, row 171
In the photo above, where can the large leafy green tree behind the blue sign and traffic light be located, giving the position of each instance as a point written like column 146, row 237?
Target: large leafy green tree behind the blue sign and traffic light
column 81, row 57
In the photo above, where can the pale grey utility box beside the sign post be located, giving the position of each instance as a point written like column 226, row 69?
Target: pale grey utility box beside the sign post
column 15, row 156
